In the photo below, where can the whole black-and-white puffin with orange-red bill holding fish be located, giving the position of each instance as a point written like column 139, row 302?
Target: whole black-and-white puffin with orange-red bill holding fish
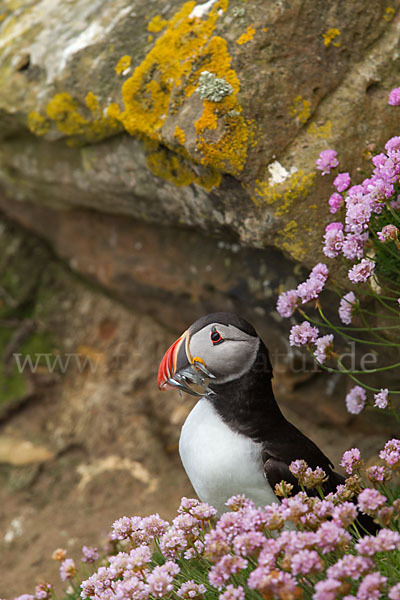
column 236, row 439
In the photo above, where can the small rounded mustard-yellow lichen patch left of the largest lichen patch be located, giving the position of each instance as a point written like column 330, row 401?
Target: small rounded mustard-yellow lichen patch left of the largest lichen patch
column 64, row 110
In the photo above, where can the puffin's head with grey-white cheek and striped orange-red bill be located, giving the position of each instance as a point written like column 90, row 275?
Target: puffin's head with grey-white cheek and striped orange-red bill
column 218, row 348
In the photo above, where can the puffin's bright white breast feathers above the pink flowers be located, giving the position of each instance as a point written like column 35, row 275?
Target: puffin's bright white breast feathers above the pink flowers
column 220, row 462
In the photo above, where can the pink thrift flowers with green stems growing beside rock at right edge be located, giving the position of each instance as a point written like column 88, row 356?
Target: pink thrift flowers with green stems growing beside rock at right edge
column 366, row 237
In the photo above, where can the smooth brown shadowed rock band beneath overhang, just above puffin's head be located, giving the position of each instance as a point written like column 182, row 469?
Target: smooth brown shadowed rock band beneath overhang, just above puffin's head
column 172, row 274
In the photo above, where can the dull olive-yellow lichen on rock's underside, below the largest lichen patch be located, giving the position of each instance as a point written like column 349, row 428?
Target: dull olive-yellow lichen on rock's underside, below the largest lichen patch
column 170, row 166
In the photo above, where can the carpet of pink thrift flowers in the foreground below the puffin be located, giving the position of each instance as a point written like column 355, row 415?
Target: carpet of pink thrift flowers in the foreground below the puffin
column 303, row 547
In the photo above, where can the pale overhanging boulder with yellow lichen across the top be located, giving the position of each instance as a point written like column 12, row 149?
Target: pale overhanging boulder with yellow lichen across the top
column 306, row 76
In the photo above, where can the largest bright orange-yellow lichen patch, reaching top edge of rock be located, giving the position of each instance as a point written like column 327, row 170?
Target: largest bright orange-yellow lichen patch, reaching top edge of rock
column 170, row 72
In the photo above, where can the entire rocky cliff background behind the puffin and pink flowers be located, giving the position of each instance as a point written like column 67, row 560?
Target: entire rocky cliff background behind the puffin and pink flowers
column 130, row 205
